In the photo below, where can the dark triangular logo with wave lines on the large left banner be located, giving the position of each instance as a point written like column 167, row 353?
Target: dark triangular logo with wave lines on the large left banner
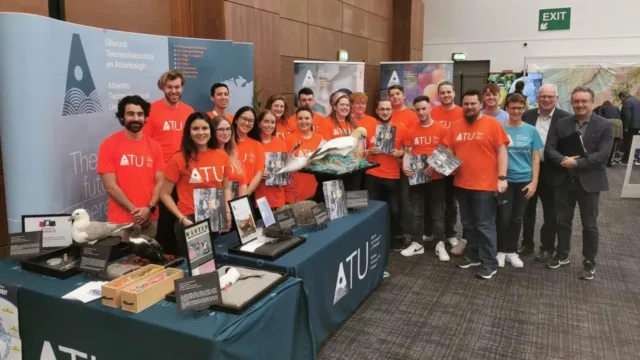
column 81, row 96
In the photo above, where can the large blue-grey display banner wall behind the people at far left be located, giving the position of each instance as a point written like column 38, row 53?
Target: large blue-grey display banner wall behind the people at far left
column 61, row 86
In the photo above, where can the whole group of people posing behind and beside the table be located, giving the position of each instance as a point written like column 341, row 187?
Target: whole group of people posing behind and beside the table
column 167, row 152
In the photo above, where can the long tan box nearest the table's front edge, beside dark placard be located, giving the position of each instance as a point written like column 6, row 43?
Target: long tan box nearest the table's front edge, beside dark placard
column 149, row 290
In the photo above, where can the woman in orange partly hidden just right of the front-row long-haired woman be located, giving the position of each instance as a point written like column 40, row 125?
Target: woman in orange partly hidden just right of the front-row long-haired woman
column 224, row 135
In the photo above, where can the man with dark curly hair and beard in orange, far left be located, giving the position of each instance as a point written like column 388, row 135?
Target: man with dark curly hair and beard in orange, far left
column 131, row 166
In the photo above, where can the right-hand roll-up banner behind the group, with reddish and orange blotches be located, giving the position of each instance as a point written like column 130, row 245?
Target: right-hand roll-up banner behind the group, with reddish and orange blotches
column 417, row 78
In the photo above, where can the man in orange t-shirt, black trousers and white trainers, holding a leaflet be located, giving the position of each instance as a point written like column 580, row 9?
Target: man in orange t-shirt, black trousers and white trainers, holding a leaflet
column 423, row 140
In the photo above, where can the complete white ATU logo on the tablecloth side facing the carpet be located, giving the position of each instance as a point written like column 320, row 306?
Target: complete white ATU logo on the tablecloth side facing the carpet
column 344, row 283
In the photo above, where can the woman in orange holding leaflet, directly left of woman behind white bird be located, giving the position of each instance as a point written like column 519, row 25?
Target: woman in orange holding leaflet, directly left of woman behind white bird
column 273, row 146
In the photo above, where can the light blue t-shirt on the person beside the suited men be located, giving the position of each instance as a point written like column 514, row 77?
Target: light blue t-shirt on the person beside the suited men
column 523, row 140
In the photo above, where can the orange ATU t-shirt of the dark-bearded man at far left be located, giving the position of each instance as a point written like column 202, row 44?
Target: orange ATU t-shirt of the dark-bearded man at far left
column 135, row 163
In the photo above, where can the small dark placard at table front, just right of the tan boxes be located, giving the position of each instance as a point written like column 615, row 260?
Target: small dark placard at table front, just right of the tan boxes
column 198, row 292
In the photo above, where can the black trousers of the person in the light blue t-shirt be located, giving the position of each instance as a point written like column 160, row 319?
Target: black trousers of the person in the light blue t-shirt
column 510, row 216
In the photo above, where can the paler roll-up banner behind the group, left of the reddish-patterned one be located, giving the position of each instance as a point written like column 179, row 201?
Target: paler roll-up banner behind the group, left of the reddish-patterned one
column 326, row 78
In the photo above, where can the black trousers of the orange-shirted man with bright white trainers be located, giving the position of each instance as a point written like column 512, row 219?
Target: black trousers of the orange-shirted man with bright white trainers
column 428, row 196
